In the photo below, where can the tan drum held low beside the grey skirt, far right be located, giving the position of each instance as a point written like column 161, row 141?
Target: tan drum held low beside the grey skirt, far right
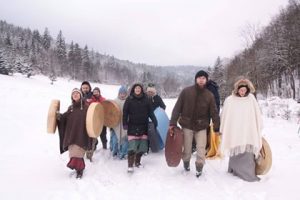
column 264, row 163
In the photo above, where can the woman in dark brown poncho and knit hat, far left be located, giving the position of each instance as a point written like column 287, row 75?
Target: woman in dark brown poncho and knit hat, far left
column 72, row 132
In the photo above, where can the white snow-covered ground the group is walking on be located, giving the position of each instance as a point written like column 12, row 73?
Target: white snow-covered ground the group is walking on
column 32, row 168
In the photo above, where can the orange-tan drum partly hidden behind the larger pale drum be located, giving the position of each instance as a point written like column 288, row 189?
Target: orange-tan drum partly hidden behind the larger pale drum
column 112, row 113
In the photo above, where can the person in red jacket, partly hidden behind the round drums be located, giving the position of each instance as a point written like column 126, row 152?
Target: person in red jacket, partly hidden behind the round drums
column 97, row 98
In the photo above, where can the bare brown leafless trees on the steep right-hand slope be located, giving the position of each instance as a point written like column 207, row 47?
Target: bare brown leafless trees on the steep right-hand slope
column 272, row 61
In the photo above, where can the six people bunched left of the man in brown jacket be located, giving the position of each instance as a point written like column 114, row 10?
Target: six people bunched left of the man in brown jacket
column 128, row 139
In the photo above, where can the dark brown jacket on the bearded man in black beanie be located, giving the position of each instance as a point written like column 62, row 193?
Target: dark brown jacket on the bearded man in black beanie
column 195, row 107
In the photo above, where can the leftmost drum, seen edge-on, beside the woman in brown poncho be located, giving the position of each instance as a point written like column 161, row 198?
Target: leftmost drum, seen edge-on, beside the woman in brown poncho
column 51, row 119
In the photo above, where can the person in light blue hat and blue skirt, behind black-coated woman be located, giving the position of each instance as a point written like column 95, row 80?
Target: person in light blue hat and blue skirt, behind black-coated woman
column 118, row 137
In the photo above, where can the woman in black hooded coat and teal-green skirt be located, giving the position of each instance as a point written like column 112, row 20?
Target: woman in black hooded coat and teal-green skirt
column 136, row 113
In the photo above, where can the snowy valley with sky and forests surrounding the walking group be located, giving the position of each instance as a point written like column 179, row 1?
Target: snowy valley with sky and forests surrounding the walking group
column 47, row 48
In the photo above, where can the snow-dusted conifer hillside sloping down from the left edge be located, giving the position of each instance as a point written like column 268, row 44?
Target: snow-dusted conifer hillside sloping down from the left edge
column 30, row 52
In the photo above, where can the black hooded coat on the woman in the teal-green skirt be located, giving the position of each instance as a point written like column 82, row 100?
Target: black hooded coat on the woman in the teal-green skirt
column 136, row 113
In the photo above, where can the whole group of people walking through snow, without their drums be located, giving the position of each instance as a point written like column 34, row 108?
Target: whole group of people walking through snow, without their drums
column 196, row 108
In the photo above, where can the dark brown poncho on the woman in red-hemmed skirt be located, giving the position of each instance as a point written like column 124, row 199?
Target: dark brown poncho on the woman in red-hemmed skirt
column 72, row 127
